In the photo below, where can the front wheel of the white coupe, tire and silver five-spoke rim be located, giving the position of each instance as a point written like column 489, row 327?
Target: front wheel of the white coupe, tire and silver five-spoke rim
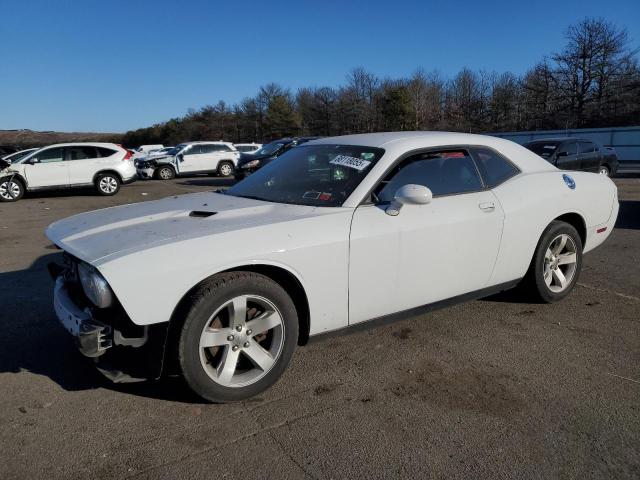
column 238, row 338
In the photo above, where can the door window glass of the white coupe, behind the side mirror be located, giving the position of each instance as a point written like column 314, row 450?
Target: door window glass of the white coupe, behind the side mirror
column 445, row 173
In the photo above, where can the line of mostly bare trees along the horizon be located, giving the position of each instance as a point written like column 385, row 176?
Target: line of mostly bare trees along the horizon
column 593, row 81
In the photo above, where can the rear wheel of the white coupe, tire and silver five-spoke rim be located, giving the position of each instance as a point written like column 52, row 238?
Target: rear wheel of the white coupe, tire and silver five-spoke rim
column 556, row 264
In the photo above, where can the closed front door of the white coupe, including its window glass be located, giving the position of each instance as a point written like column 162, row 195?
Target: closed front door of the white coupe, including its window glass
column 427, row 253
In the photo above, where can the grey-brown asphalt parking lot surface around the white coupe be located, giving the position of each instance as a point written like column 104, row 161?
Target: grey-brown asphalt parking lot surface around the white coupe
column 494, row 388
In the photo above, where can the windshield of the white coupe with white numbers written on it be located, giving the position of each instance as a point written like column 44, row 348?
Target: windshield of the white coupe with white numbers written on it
column 314, row 175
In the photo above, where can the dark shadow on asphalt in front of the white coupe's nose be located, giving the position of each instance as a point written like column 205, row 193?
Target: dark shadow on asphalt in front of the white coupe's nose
column 32, row 340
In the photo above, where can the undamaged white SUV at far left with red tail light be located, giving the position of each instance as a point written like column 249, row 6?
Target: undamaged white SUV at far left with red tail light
column 103, row 165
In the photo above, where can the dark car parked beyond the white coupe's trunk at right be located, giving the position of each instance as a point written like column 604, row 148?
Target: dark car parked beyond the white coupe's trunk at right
column 576, row 154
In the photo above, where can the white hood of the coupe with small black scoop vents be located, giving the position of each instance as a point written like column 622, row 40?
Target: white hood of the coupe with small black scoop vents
column 101, row 235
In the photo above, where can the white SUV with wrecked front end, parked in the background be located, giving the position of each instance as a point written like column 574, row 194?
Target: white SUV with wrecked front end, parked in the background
column 219, row 158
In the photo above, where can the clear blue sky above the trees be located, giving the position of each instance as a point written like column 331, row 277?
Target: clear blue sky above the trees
column 114, row 65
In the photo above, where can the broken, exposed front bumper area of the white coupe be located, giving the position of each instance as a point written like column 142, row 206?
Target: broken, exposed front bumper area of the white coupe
column 122, row 351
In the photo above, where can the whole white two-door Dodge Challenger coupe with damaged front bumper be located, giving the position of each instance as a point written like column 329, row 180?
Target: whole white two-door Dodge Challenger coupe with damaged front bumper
column 221, row 287
